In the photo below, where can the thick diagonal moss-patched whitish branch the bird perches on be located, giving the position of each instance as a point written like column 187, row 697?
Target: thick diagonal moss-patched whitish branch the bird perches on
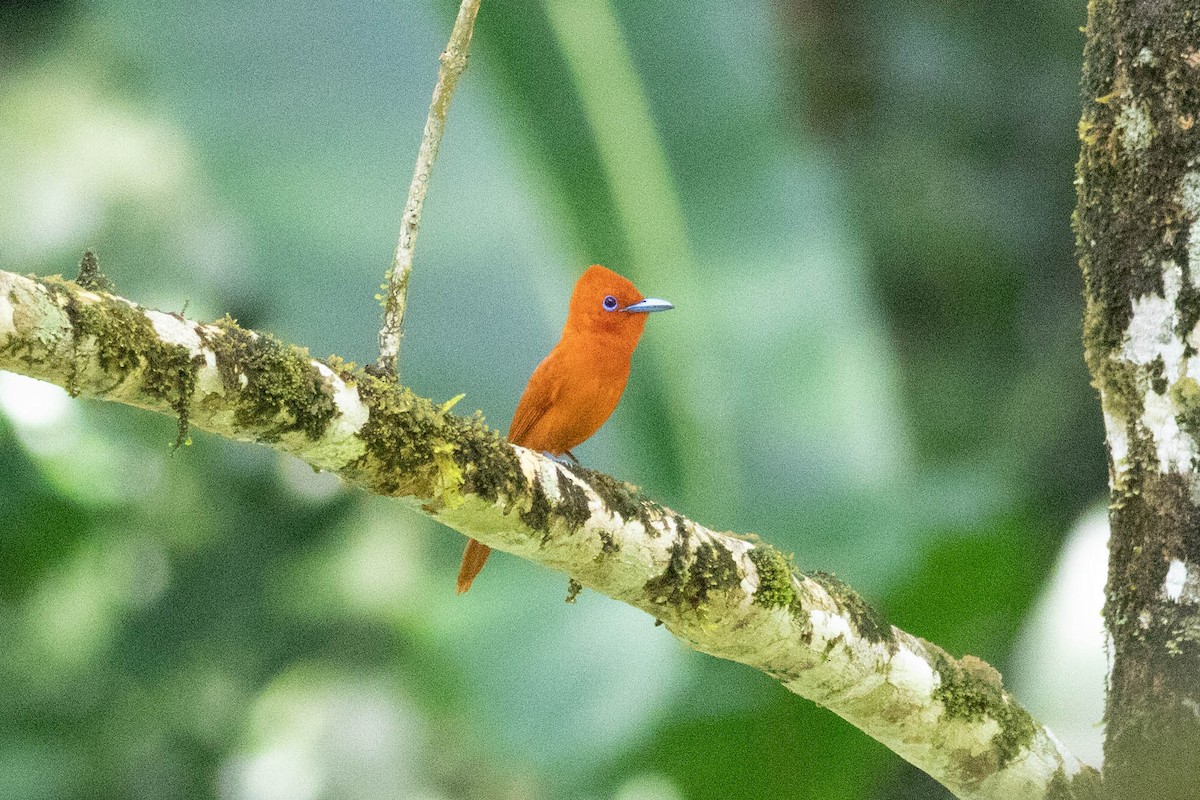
column 721, row 594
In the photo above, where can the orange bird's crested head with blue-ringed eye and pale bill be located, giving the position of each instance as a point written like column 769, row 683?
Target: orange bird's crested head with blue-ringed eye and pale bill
column 605, row 303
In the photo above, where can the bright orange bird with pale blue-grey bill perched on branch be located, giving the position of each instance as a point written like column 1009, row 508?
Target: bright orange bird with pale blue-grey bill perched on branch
column 577, row 388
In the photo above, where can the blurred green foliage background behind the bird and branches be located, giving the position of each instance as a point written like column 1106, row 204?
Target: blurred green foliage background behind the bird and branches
column 862, row 214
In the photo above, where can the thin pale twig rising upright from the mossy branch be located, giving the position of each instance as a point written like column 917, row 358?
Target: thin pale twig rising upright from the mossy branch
column 453, row 63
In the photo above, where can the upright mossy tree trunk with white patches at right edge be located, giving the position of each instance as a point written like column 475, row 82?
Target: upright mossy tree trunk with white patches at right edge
column 1138, row 227
